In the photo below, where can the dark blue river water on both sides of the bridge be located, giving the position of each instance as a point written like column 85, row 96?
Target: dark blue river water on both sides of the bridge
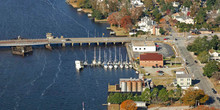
column 47, row 80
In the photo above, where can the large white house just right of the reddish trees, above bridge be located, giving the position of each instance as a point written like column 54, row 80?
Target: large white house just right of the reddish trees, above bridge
column 146, row 24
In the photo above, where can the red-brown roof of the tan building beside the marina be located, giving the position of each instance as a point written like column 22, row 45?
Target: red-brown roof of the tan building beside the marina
column 151, row 57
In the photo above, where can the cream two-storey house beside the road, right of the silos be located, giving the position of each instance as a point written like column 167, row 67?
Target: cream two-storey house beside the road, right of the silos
column 184, row 80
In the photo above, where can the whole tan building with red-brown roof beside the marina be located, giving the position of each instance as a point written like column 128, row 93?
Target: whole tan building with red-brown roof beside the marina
column 151, row 59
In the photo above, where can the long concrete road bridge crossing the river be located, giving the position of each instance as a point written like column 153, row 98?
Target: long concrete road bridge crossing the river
column 63, row 41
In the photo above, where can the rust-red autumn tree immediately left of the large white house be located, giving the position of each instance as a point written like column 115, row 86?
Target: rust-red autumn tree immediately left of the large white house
column 126, row 22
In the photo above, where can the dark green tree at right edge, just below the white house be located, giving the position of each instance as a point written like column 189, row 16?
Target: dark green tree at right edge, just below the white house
column 210, row 67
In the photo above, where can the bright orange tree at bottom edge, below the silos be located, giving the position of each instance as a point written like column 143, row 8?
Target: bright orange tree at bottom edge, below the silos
column 128, row 105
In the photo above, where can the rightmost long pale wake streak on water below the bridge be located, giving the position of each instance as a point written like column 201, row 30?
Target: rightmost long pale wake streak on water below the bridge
column 56, row 76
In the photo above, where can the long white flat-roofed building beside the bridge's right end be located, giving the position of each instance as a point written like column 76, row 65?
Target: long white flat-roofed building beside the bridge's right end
column 143, row 46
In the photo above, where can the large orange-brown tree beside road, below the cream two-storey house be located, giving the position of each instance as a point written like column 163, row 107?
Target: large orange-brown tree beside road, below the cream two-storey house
column 192, row 97
